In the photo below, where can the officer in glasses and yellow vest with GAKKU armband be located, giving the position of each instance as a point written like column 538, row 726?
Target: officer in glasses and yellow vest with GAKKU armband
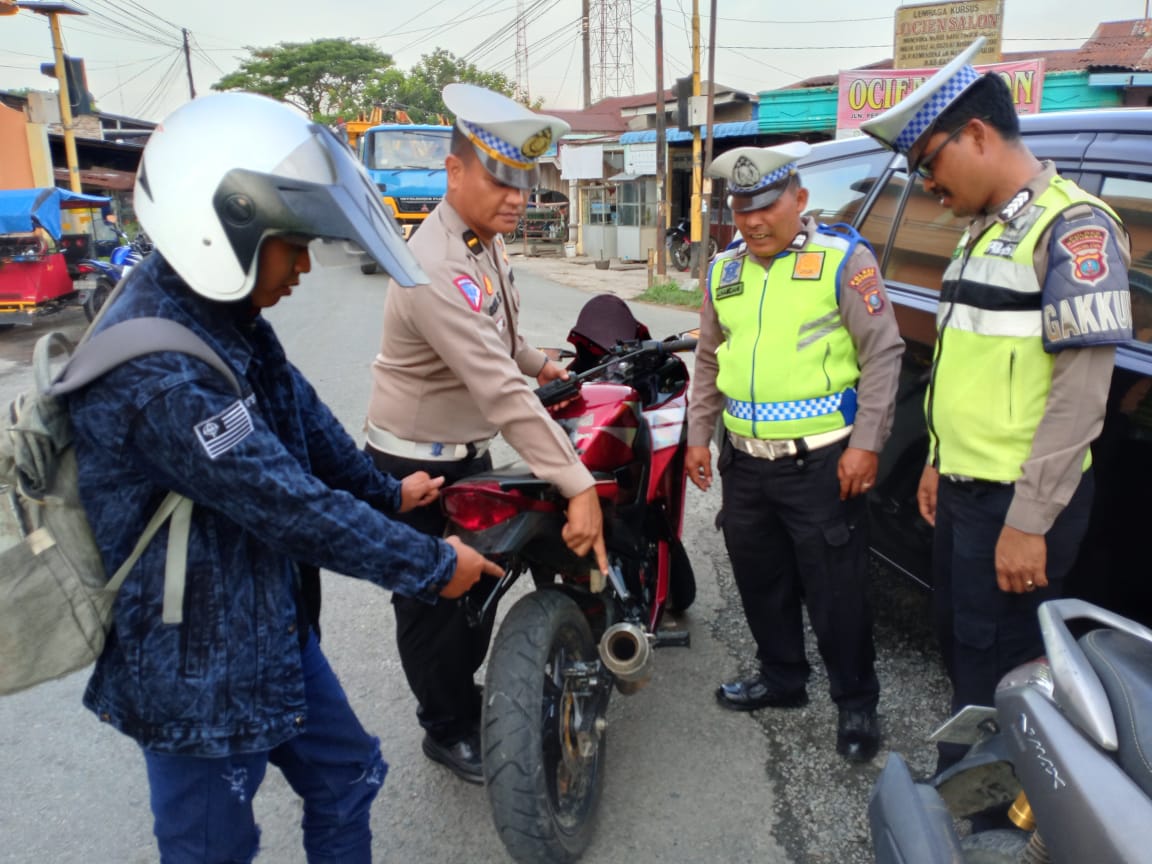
column 1032, row 308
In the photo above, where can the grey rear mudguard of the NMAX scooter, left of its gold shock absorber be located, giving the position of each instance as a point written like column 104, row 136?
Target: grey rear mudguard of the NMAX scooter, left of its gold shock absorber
column 911, row 823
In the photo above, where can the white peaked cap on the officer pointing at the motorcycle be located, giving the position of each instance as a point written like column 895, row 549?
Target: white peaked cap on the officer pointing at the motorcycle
column 509, row 138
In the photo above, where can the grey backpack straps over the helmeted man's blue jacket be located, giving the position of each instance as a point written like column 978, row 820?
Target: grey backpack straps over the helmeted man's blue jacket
column 101, row 354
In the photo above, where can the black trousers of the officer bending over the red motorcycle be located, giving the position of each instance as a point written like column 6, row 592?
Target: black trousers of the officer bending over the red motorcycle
column 439, row 651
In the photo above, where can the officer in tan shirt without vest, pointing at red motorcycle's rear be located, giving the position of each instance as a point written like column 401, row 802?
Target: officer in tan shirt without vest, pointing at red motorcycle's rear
column 453, row 372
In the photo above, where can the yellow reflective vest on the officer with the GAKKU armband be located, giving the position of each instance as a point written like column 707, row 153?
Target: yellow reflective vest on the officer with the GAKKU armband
column 991, row 378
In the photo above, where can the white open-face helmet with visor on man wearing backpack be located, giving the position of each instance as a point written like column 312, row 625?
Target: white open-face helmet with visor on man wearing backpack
column 226, row 171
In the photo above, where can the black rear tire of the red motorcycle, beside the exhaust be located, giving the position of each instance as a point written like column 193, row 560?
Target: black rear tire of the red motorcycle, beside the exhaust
column 544, row 793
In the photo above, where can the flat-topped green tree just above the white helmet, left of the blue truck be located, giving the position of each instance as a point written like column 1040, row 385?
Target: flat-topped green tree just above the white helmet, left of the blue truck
column 324, row 78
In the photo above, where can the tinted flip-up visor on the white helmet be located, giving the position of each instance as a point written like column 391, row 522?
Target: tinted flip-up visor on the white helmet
column 319, row 191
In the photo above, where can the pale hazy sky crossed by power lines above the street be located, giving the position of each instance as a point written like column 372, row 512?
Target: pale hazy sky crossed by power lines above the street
column 135, row 63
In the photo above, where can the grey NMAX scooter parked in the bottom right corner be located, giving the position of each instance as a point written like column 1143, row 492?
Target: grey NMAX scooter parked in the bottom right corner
column 1067, row 747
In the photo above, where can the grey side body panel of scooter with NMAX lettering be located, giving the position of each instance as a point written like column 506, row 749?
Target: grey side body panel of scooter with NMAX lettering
column 1087, row 808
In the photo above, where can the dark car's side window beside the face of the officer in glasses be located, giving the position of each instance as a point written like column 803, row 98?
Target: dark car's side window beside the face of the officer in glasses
column 926, row 238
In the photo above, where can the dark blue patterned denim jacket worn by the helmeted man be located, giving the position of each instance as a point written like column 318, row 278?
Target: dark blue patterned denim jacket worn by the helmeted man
column 276, row 481
